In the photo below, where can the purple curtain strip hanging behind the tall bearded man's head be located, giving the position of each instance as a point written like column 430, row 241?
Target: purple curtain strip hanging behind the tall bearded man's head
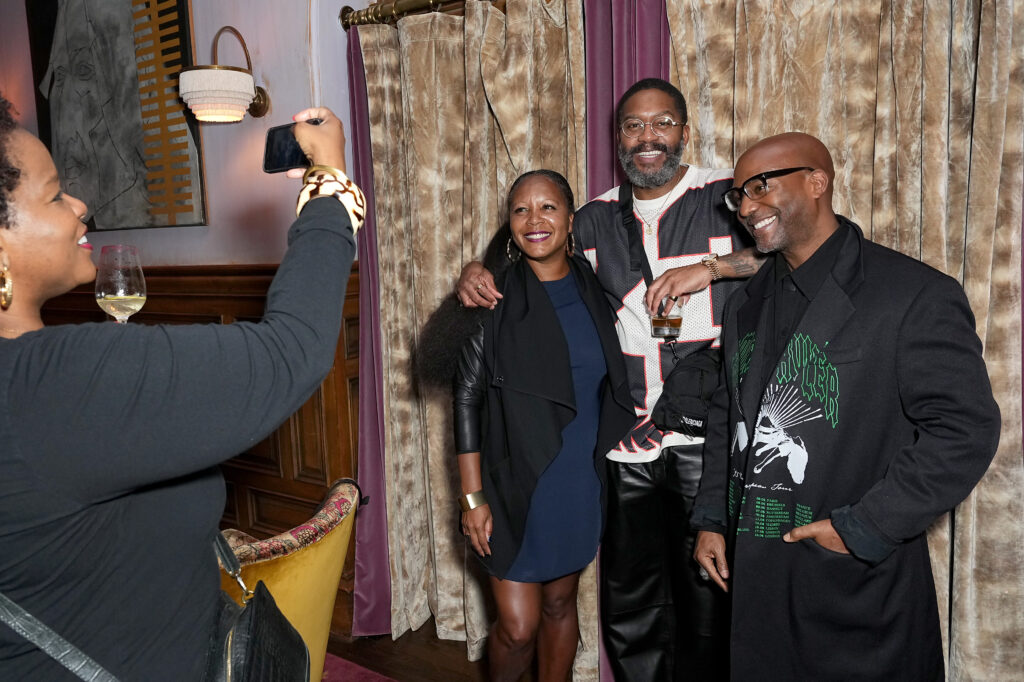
column 627, row 40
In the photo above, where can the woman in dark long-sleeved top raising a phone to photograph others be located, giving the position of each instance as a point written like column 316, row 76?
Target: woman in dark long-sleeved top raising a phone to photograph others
column 110, row 493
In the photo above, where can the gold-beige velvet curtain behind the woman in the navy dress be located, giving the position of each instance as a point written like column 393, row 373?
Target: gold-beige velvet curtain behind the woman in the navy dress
column 459, row 107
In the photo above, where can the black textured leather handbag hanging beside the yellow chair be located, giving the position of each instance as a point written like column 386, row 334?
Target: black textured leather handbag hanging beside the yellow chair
column 254, row 643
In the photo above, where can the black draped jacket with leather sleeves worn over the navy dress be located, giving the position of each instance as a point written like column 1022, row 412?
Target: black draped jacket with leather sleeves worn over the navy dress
column 514, row 398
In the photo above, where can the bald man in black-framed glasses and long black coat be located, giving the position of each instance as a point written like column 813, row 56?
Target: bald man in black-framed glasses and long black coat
column 856, row 410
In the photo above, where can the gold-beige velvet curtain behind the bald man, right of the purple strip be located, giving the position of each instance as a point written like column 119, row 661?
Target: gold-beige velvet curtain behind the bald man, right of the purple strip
column 922, row 103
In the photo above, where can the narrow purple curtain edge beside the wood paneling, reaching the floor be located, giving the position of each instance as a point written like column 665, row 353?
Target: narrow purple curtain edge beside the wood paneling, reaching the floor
column 372, row 596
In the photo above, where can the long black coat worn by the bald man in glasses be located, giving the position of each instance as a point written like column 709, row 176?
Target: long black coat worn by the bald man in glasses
column 908, row 428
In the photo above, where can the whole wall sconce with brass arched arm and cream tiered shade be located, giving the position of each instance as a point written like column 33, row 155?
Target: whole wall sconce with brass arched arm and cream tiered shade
column 222, row 95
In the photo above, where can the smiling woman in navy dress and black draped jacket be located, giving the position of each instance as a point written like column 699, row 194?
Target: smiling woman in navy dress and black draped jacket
column 540, row 398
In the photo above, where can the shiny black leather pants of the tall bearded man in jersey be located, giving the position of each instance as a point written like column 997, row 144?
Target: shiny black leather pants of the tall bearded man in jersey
column 661, row 620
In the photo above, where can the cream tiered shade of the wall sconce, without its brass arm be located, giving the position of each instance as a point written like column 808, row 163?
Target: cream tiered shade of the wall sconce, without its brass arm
column 218, row 95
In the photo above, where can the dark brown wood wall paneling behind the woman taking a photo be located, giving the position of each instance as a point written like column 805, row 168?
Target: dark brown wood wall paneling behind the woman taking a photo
column 279, row 483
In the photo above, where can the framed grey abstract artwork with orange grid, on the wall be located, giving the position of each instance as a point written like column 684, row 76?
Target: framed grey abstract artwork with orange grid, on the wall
column 107, row 92
